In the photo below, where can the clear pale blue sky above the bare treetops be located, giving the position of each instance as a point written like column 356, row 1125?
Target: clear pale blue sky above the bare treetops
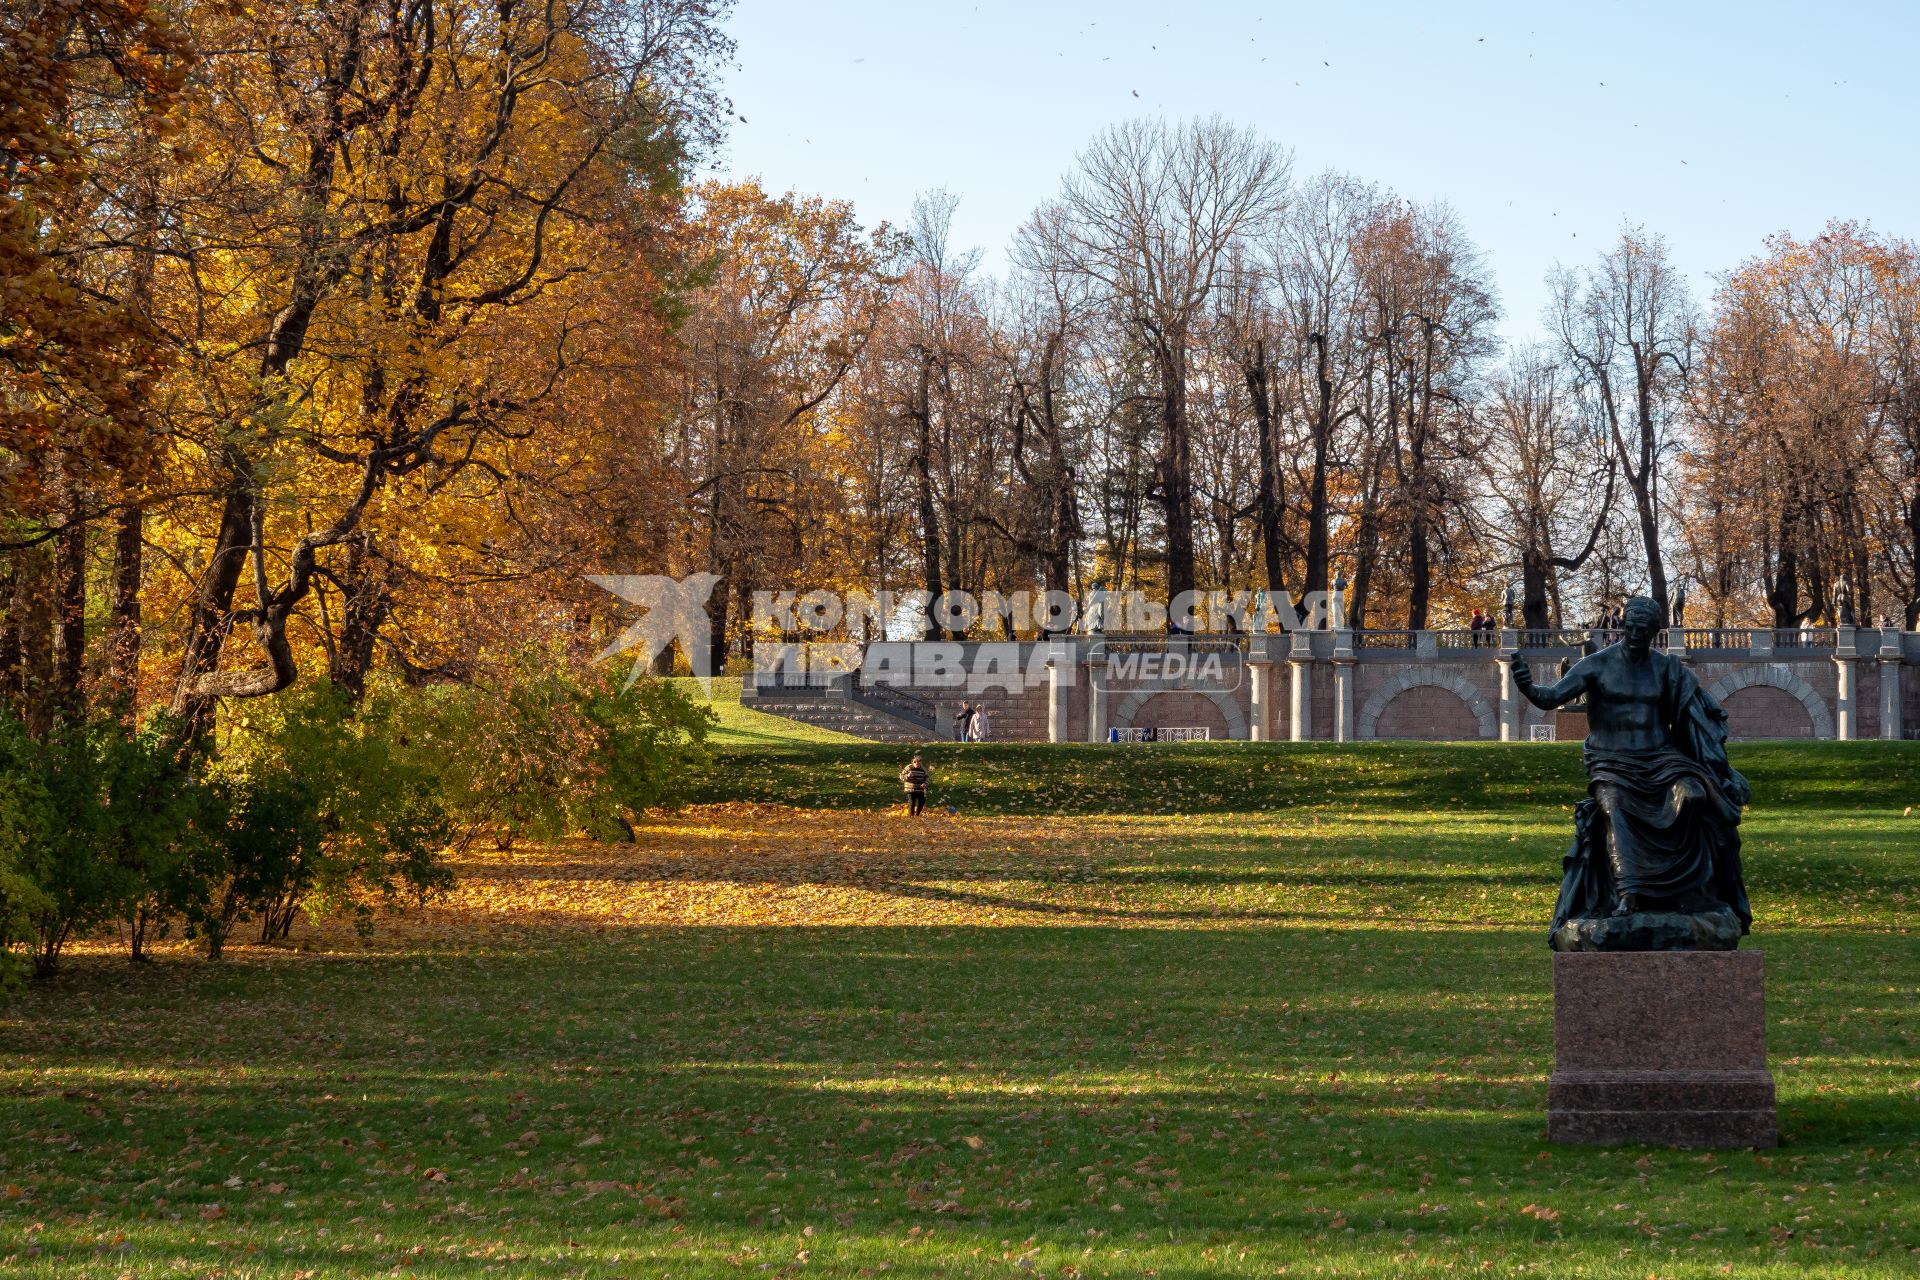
column 1545, row 126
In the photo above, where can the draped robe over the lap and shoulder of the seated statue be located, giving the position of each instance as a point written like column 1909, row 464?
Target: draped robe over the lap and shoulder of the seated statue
column 1671, row 813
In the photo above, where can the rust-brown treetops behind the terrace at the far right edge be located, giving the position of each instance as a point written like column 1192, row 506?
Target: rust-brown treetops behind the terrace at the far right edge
column 1804, row 412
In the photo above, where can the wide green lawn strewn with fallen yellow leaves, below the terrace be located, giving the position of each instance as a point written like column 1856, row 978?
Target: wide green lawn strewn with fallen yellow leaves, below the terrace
column 1234, row 1010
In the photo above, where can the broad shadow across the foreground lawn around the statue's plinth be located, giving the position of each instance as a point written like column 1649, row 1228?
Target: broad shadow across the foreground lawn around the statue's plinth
column 982, row 1083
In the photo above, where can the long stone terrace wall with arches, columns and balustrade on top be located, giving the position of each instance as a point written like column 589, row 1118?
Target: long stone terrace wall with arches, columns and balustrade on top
column 1385, row 684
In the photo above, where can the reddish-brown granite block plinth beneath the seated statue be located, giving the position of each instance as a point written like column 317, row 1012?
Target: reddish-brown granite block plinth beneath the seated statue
column 1662, row 1049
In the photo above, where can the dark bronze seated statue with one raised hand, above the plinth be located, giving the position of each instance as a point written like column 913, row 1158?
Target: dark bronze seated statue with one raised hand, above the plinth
column 1656, row 853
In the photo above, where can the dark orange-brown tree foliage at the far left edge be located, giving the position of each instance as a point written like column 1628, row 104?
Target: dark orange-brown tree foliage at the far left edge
column 84, row 87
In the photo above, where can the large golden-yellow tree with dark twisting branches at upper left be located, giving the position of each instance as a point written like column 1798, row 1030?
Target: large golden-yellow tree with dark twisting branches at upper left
column 377, row 195
